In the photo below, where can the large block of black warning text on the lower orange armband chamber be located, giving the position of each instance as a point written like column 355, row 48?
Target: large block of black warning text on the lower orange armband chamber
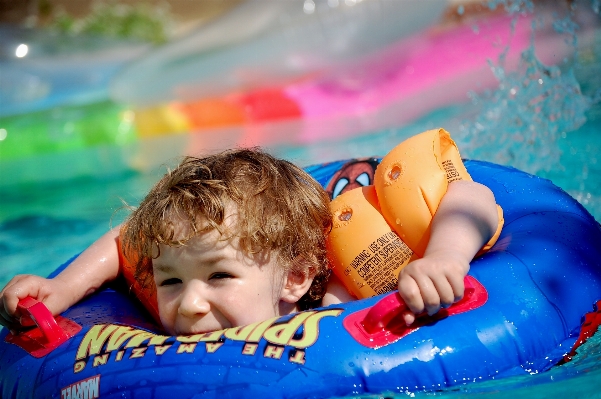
column 377, row 264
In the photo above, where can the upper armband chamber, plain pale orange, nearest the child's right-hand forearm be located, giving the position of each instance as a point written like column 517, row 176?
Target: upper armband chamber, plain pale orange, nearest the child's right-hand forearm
column 412, row 179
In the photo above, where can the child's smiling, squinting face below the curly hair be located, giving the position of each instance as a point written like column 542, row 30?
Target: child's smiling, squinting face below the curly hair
column 209, row 284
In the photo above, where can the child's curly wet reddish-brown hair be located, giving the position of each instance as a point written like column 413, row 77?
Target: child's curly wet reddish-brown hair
column 281, row 211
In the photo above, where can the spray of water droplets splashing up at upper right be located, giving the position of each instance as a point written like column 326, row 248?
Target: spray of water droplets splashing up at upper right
column 520, row 121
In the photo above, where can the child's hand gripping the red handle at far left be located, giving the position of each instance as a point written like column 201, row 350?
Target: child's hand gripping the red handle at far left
column 50, row 291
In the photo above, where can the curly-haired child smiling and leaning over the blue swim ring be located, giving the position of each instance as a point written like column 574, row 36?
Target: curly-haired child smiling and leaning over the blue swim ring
column 239, row 237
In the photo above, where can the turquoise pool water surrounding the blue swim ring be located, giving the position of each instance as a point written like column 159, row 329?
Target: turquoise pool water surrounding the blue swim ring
column 43, row 225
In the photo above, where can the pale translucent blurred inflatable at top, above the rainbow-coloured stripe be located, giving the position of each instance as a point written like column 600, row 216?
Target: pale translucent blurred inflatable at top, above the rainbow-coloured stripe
column 259, row 44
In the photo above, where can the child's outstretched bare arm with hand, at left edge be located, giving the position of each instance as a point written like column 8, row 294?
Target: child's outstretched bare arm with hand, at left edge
column 95, row 266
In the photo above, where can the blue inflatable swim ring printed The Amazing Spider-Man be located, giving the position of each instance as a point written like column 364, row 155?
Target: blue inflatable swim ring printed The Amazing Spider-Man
column 539, row 279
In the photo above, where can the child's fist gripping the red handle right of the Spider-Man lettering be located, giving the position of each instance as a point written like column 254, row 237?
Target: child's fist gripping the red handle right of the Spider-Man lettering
column 432, row 282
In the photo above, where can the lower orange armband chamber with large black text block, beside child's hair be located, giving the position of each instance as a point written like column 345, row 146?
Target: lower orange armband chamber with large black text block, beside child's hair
column 364, row 252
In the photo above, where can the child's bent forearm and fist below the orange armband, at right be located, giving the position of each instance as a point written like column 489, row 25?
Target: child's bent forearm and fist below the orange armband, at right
column 465, row 220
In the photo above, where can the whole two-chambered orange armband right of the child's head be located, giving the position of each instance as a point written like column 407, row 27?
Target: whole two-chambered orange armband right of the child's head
column 409, row 183
